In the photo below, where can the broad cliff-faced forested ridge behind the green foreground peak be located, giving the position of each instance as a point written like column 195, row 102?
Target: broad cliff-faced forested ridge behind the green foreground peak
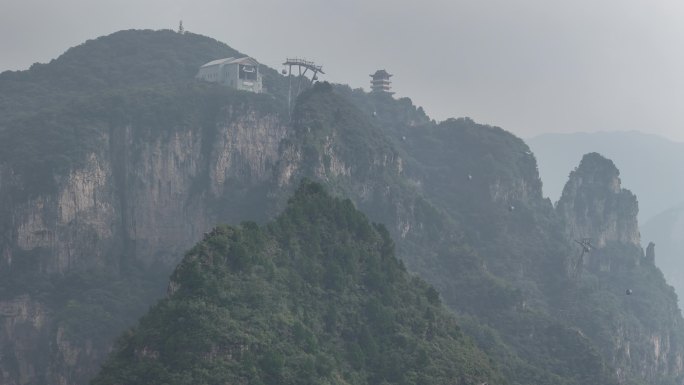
column 165, row 162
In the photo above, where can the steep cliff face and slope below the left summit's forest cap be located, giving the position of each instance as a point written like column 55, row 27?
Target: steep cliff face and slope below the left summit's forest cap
column 126, row 213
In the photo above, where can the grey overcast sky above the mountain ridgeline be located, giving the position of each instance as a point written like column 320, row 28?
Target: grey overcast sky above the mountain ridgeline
column 529, row 66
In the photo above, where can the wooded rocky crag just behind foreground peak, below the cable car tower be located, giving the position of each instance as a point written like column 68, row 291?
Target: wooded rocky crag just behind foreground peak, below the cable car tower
column 332, row 142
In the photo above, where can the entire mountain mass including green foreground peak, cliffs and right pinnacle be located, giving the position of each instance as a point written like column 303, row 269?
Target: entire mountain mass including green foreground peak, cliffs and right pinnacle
column 105, row 186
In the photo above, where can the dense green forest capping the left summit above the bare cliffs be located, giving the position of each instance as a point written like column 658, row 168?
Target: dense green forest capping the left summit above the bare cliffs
column 55, row 114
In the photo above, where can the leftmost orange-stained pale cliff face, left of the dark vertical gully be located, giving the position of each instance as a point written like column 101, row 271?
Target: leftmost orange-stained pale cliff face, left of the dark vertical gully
column 67, row 229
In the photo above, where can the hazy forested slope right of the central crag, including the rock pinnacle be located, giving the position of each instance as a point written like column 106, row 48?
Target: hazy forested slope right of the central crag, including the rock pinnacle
column 544, row 319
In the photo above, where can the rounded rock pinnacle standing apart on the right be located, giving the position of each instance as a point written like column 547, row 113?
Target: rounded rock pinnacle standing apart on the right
column 593, row 204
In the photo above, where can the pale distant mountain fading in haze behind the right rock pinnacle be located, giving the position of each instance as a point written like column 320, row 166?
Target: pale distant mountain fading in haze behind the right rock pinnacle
column 650, row 166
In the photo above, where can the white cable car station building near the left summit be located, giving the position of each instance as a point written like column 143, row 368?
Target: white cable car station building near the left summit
column 240, row 74
